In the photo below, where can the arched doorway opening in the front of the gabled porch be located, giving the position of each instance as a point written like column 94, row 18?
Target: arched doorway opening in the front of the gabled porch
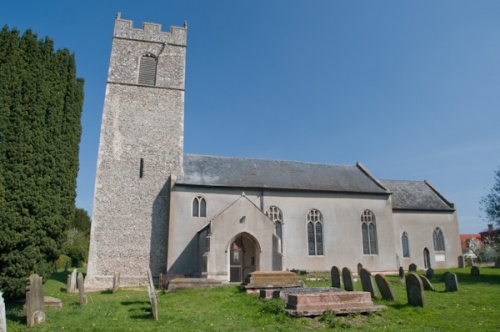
column 244, row 257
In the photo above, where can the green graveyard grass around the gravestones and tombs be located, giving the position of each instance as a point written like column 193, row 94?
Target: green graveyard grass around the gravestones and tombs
column 474, row 307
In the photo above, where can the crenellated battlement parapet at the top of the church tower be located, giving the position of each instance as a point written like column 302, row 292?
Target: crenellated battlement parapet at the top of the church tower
column 150, row 32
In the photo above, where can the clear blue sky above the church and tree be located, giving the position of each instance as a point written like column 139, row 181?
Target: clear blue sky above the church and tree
column 411, row 89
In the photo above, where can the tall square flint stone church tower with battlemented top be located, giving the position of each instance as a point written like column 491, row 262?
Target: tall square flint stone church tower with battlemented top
column 141, row 146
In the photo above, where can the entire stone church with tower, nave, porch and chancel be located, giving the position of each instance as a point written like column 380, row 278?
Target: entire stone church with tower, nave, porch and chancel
column 158, row 208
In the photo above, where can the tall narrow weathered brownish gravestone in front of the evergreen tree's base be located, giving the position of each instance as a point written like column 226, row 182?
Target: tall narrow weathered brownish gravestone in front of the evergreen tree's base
column 34, row 301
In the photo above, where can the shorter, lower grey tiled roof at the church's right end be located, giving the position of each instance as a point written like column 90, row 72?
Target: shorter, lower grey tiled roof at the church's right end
column 416, row 195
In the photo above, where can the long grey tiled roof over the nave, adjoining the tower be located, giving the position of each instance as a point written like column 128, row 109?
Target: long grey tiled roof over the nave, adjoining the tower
column 273, row 174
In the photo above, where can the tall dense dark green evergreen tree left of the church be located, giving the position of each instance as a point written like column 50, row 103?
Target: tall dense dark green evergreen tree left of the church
column 40, row 108
